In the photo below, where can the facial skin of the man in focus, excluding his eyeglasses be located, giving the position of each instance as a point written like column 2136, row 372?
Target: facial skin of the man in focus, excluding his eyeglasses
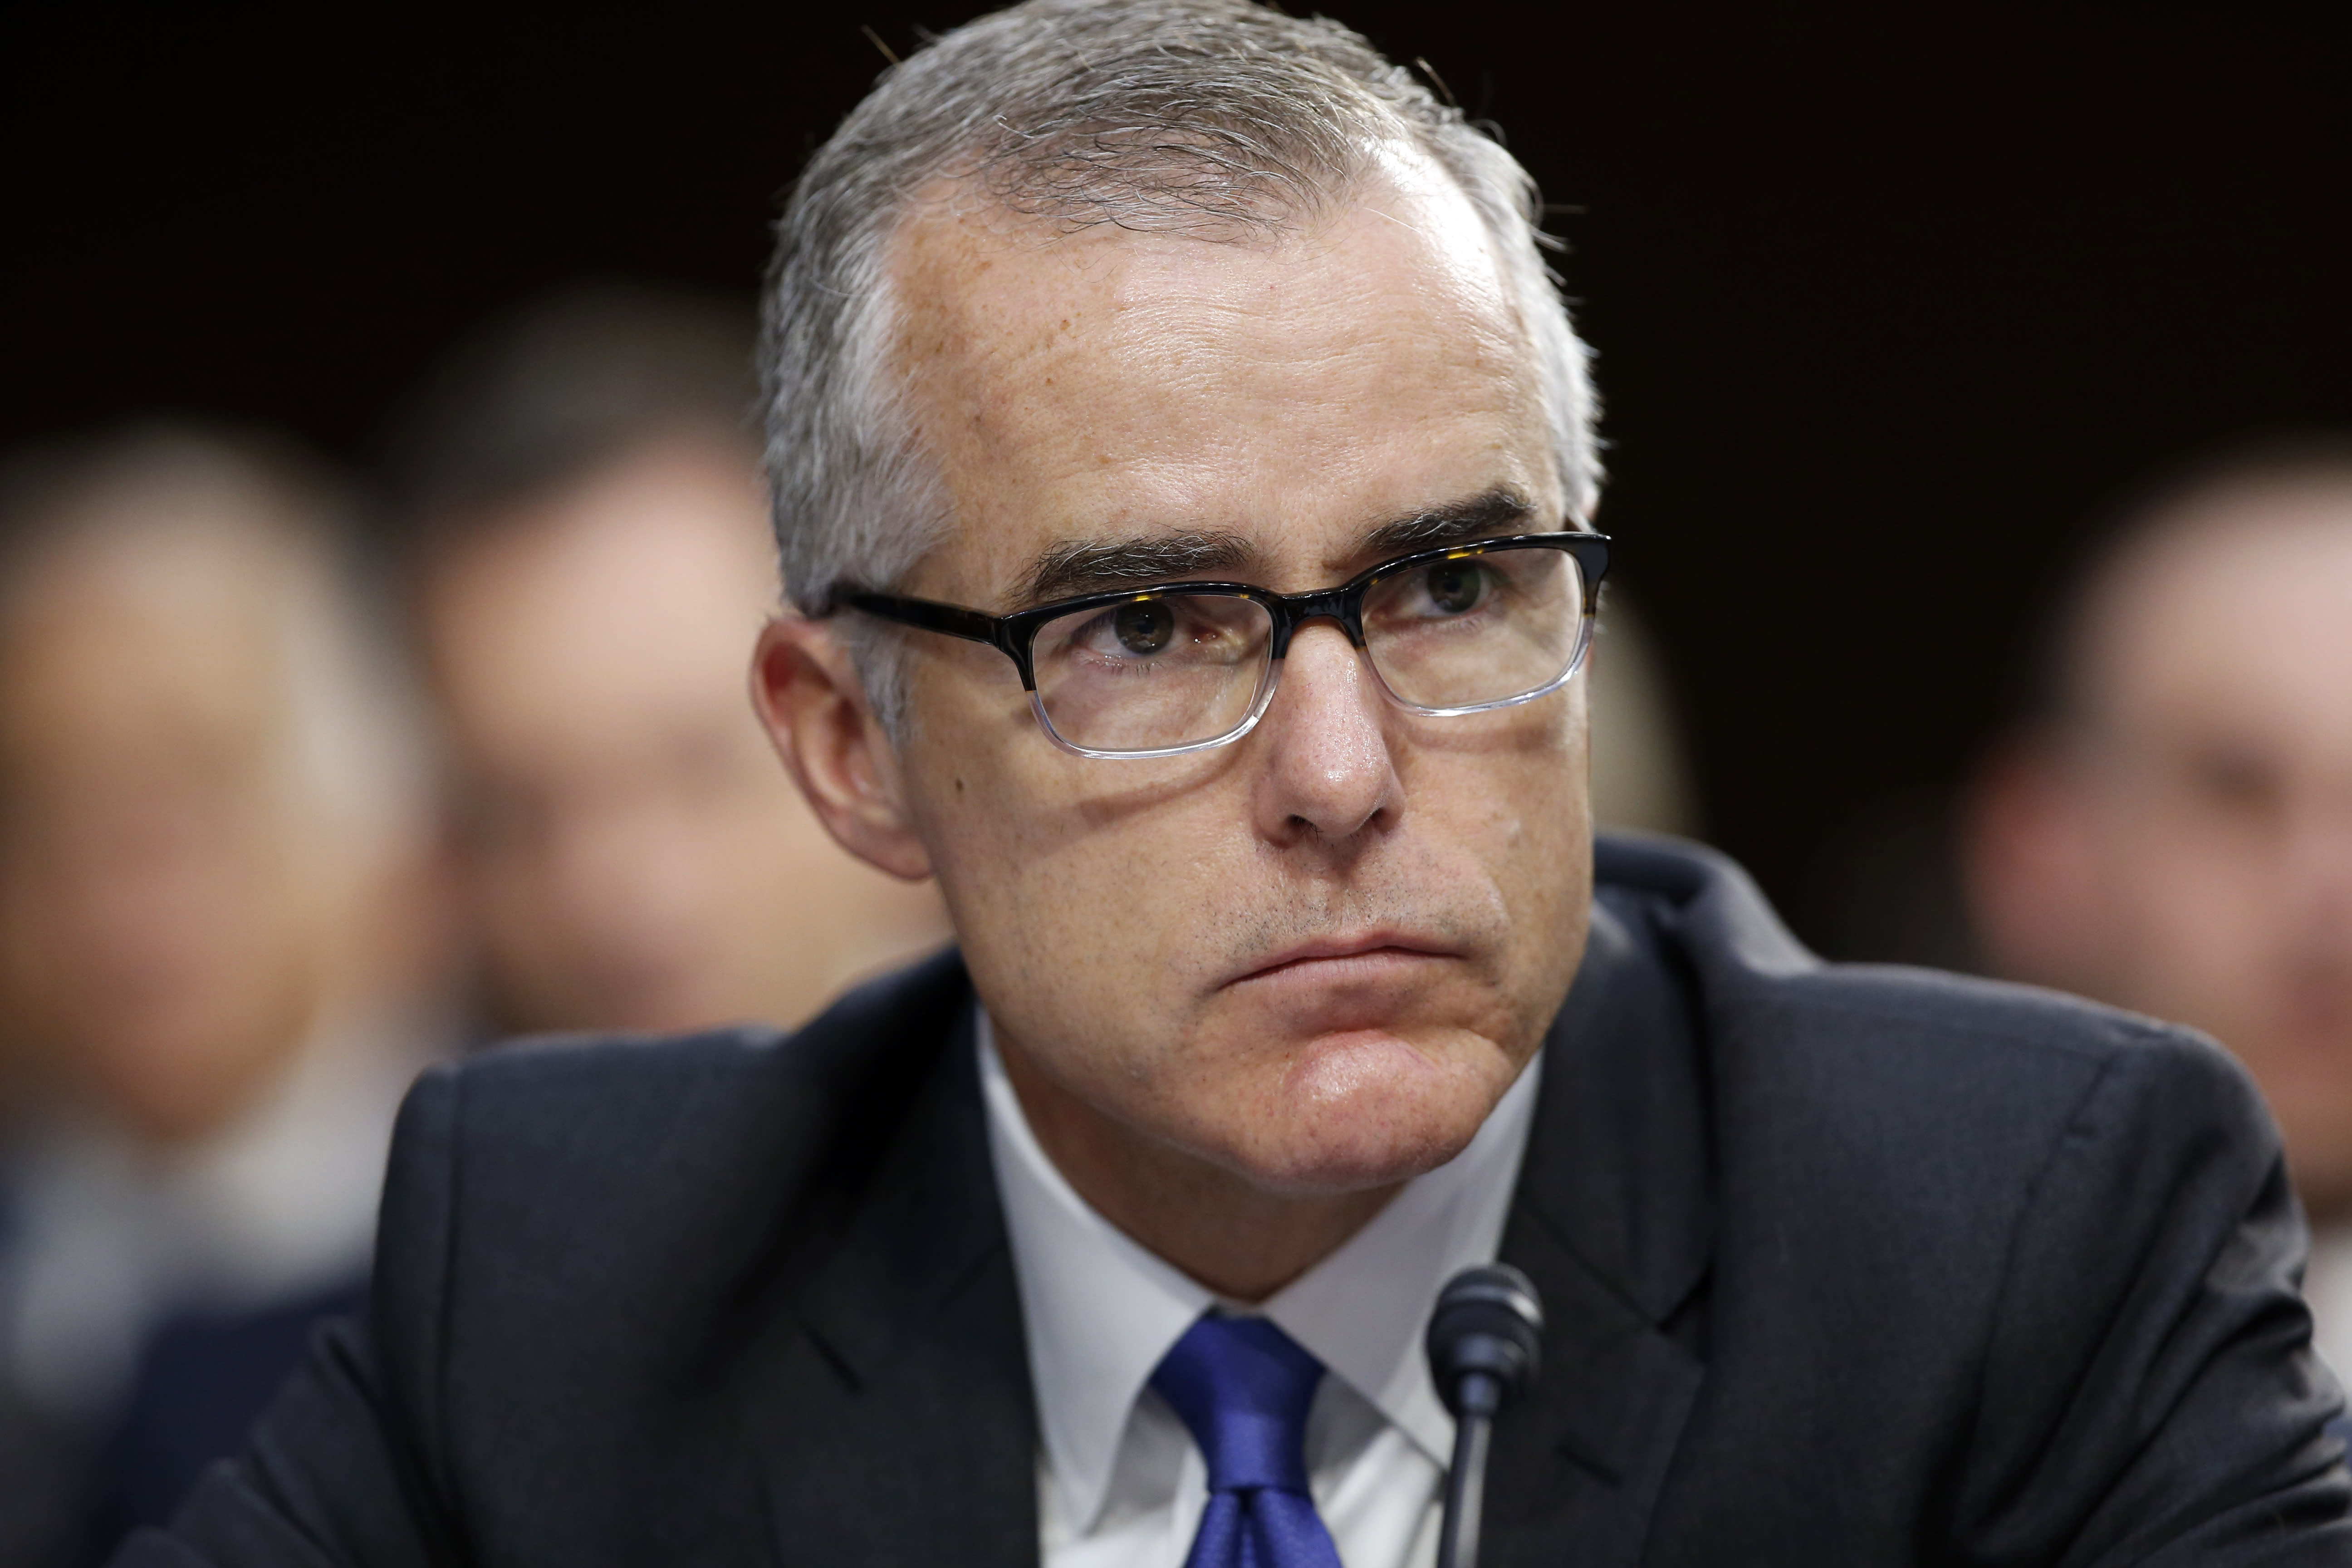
column 1314, row 958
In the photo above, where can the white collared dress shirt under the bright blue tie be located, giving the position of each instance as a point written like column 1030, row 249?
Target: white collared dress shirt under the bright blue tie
column 1121, row 1482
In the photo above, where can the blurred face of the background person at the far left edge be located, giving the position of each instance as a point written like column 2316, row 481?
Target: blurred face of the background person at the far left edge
column 166, row 890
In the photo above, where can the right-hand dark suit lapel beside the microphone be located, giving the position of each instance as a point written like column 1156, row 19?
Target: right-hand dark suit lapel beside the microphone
column 1615, row 1224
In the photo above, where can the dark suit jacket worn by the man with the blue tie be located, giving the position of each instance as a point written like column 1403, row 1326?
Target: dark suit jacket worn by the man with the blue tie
column 1840, row 1266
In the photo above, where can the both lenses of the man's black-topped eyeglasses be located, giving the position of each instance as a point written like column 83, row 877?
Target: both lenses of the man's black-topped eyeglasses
column 1184, row 669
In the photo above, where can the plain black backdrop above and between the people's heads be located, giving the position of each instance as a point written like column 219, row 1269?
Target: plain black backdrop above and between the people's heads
column 1892, row 314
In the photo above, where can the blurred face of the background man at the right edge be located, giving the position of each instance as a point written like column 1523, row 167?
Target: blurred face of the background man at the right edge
column 2219, row 808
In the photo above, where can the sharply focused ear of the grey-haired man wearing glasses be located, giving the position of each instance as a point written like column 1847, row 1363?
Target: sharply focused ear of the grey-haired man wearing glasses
column 815, row 709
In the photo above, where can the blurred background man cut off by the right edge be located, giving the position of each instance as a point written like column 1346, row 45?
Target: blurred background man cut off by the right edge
column 2174, row 833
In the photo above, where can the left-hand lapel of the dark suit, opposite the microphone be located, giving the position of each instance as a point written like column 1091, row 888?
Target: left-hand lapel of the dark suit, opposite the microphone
column 897, row 1416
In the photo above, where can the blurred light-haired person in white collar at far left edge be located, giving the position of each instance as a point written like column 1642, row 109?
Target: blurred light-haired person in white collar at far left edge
column 215, row 960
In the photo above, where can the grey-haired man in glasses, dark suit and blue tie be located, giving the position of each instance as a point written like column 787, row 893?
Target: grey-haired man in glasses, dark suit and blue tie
column 1182, row 469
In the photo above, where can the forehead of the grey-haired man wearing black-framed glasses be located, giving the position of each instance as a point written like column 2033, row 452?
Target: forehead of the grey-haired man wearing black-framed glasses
column 1285, row 389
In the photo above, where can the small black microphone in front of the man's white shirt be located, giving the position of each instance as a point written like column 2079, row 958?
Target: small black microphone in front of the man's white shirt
column 1485, row 1351
